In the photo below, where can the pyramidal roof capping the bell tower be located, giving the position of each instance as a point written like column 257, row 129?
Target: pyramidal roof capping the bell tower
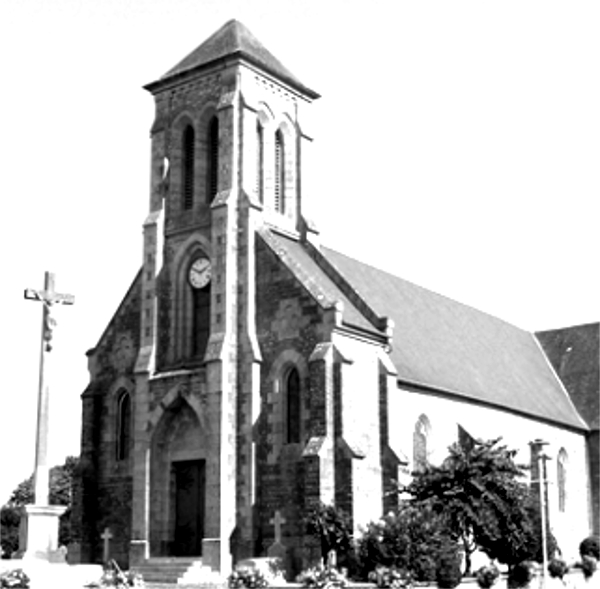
column 233, row 39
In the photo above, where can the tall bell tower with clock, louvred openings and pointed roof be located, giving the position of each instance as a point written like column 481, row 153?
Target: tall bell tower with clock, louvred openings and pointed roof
column 225, row 160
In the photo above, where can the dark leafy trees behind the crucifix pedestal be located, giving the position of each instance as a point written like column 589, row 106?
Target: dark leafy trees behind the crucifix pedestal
column 61, row 480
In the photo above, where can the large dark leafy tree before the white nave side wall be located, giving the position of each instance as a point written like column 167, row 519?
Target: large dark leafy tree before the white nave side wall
column 479, row 493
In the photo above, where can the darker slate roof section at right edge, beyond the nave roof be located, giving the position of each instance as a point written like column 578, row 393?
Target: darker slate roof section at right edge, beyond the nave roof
column 575, row 354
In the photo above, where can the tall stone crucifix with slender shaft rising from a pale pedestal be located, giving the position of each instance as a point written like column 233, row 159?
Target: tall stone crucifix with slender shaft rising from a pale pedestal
column 48, row 297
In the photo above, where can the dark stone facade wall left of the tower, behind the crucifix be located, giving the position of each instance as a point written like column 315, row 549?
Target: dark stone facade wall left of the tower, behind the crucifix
column 103, row 488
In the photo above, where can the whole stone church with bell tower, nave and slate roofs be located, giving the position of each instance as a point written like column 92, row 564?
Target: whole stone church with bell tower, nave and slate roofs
column 250, row 372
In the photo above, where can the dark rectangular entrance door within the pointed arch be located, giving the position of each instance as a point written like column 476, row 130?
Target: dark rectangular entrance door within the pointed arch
column 189, row 479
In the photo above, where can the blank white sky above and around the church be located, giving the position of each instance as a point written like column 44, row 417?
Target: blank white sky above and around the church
column 456, row 144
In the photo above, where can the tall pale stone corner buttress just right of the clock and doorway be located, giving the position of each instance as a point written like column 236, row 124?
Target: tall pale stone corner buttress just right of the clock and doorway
column 222, row 351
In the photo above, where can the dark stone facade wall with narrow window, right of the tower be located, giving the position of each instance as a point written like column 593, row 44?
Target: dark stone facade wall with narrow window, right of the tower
column 287, row 329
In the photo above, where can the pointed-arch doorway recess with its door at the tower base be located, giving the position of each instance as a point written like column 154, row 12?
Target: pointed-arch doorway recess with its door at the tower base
column 177, row 483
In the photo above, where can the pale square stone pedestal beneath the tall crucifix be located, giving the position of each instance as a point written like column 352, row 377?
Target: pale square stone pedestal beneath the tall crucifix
column 38, row 533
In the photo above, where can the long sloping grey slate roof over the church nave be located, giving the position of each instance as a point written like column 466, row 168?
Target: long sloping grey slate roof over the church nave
column 441, row 344
